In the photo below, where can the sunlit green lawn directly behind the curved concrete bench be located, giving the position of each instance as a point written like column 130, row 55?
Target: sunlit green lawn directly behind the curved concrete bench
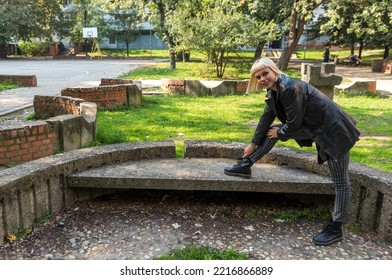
column 233, row 118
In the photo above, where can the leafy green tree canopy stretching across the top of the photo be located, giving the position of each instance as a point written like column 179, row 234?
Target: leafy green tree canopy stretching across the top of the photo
column 216, row 27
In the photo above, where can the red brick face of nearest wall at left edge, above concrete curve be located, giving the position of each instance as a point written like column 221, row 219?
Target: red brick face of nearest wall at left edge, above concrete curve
column 23, row 142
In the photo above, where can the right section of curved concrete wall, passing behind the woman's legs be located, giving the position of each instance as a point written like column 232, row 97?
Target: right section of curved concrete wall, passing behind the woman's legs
column 371, row 201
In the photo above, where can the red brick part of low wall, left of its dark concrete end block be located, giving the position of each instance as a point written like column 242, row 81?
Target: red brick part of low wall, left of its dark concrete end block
column 104, row 96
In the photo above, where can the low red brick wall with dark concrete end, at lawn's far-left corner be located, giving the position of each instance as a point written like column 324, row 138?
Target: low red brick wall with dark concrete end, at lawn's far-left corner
column 107, row 97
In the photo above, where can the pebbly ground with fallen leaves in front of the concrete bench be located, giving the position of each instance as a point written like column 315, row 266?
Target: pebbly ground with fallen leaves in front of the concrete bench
column 142, row 225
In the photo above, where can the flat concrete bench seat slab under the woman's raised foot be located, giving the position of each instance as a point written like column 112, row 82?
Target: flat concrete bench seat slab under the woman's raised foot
column 200, row 174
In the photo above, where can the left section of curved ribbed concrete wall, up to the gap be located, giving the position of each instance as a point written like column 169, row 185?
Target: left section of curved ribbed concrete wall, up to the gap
column 34, row 189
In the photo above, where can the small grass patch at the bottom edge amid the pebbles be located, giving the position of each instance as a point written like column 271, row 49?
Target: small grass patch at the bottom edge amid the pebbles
column 203, row 253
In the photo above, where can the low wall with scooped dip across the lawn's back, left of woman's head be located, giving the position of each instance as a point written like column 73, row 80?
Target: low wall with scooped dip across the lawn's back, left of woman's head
column 197, row 88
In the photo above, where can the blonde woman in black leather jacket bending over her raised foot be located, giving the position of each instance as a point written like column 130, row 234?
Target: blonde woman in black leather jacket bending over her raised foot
column 307, row 116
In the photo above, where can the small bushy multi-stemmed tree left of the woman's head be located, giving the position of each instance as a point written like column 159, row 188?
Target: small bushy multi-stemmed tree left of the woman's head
column 215, row 28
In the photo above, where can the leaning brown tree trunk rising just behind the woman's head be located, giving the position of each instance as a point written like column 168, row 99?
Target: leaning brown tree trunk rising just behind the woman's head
column 297, row 24
